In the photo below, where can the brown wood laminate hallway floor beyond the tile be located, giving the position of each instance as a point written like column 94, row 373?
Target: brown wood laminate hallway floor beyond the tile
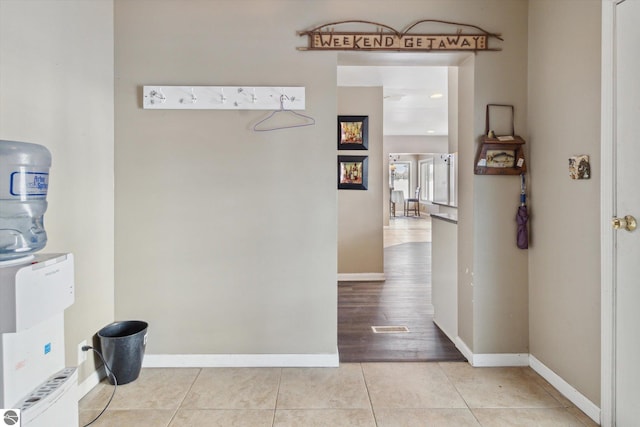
column 403, row 299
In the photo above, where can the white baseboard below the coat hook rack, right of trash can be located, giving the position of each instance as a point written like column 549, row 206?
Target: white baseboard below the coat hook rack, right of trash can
column 241, row 360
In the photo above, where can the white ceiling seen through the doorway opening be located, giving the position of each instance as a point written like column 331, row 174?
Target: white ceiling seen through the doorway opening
column 410, row 107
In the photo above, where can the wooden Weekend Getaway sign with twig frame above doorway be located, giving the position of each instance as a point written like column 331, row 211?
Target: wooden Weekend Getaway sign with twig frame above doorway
column 325, row 37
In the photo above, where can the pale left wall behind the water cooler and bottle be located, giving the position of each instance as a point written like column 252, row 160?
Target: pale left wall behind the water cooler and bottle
column 56, row 81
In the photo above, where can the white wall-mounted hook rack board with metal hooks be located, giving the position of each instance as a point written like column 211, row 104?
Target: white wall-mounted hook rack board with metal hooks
column 223, row 97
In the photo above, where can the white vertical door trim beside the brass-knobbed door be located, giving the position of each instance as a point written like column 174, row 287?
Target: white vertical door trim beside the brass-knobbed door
column 607, row 203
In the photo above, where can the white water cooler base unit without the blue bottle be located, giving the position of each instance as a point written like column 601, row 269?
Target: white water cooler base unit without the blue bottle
column 33, row 377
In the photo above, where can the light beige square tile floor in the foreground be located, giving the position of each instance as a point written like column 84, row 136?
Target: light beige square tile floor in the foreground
column 355, row 394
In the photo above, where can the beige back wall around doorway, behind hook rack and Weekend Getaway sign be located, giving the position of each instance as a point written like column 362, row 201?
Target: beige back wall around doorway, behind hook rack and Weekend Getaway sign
column 234, row 261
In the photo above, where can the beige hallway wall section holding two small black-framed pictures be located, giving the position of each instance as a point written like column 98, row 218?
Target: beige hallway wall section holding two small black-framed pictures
column 360, row 243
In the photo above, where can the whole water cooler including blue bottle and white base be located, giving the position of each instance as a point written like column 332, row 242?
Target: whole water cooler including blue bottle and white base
column 34, row 292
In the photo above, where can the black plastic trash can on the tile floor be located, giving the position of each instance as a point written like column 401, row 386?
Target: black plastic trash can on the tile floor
column 123, row 345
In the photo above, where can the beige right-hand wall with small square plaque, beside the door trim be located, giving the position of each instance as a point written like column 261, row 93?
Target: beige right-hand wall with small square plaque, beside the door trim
column 564, row 117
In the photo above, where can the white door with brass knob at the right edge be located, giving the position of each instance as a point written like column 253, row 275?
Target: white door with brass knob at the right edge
column 626, row 259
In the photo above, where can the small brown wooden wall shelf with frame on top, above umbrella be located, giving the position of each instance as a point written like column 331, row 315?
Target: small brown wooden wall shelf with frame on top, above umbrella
column 500, row 155
